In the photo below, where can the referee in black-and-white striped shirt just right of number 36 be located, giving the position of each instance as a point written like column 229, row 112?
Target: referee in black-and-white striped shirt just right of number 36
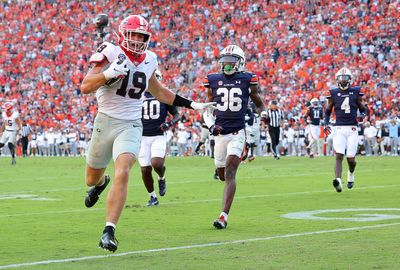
column 274, row 118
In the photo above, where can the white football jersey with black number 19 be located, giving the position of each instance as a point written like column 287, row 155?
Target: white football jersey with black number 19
column 123, row 100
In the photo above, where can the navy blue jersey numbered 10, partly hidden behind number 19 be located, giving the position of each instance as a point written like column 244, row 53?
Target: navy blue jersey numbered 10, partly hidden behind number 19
column 154, row 114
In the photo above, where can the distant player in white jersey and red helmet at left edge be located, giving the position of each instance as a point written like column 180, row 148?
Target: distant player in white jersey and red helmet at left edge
column 9, row 129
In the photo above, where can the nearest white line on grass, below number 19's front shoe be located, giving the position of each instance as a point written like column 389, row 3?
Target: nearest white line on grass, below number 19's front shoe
column 193, row 246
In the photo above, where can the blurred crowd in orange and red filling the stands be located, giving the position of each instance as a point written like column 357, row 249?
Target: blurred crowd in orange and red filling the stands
column 295, row 47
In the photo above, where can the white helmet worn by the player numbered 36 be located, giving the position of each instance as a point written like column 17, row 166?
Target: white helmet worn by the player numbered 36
column 232, row 59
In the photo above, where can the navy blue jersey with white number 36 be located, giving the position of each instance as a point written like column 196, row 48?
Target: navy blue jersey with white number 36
column 231, row 93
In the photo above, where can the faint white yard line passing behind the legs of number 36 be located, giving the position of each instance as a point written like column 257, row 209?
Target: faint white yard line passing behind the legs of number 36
column 193, row 201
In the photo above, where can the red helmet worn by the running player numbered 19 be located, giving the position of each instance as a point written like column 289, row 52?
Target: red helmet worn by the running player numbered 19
column 134, row 24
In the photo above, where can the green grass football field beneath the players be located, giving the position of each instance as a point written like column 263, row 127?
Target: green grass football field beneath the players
column 44, row 224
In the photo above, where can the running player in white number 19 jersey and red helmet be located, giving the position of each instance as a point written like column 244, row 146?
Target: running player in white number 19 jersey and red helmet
column 119, row 77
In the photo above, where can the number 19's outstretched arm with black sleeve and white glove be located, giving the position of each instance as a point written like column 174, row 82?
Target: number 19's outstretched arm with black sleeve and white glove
column 166, row 96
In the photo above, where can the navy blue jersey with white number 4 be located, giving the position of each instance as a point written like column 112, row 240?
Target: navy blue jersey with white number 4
column 345, row 105
